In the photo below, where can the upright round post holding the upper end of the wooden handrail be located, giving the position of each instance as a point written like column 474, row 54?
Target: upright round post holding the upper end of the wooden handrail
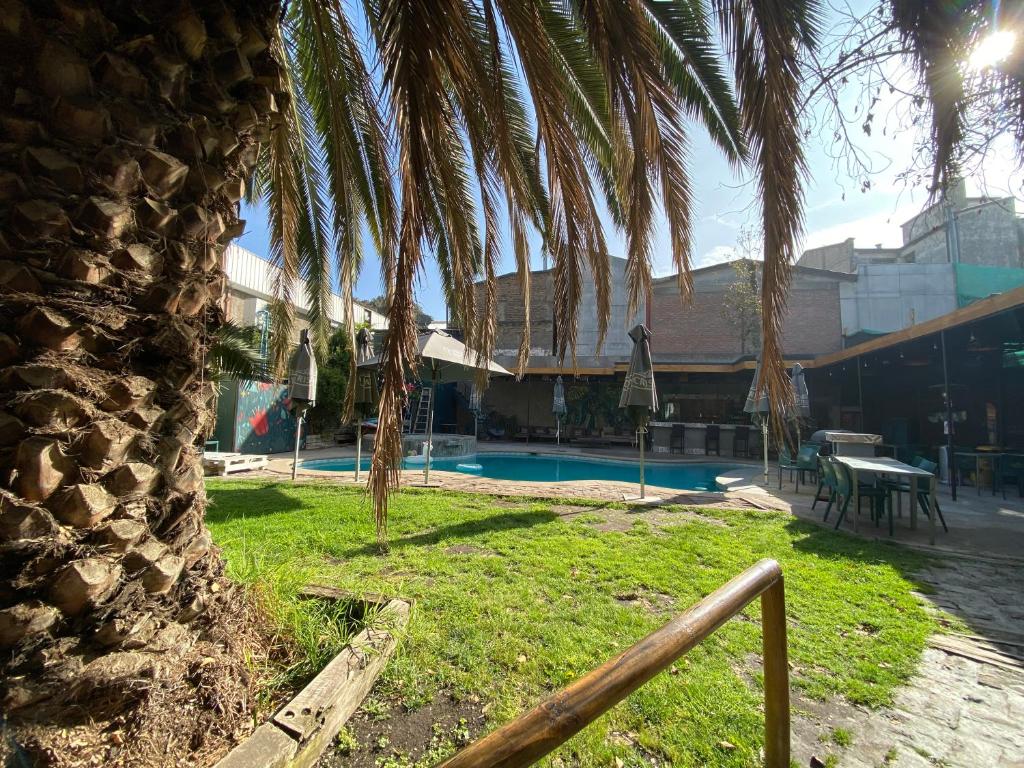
column 777, row 676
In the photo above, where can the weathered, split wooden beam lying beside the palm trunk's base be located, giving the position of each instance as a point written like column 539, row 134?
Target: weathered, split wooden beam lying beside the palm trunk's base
column 300, row 733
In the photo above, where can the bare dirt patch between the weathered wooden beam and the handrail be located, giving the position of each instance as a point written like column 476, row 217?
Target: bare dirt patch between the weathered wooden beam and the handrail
column 378, row 733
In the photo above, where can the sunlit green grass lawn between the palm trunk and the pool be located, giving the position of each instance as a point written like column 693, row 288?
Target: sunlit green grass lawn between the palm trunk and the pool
column 517, row 600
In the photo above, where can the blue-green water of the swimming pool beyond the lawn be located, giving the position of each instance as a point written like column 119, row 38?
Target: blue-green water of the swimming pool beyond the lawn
column 550, row 468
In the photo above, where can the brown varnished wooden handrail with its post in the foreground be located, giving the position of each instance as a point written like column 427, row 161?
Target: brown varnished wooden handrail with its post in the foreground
column 553, row 722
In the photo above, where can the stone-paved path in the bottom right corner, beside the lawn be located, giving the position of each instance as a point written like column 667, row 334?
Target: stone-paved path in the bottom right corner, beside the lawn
column 965, row 706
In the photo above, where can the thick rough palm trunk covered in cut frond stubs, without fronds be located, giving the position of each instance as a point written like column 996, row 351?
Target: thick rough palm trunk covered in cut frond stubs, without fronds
column 129, row 130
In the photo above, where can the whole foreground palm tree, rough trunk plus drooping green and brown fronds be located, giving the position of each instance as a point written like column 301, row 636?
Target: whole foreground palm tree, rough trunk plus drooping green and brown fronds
column 132, row 133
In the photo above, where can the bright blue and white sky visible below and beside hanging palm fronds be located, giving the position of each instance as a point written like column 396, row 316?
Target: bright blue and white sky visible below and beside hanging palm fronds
column 838, row 203
